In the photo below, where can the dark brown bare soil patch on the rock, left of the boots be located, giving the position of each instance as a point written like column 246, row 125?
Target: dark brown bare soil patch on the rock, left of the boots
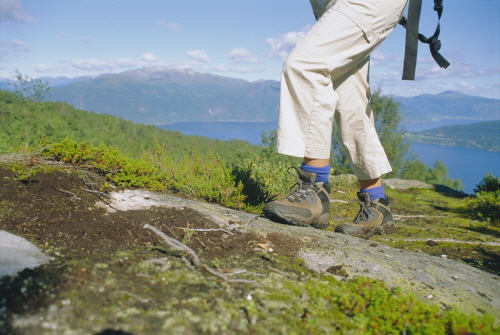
column 56, row 209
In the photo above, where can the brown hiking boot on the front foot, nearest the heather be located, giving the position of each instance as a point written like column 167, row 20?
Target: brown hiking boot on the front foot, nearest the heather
column 306, row 206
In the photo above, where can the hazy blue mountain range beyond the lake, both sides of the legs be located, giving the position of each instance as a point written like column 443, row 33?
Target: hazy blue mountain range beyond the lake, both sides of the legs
column 162, row 96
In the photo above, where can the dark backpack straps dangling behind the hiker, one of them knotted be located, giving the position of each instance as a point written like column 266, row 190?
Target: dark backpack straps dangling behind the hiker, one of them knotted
column 413, row 36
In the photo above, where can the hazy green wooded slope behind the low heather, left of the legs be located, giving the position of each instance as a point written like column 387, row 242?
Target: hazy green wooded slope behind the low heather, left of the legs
column 24, row 121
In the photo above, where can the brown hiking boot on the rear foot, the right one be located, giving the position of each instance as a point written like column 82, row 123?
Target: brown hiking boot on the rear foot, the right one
column 374, row 217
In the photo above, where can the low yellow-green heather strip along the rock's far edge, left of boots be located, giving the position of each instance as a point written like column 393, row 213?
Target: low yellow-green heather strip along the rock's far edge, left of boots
column 203, row 177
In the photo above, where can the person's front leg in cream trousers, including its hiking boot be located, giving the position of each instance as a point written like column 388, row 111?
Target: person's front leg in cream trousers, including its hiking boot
column 336, row 44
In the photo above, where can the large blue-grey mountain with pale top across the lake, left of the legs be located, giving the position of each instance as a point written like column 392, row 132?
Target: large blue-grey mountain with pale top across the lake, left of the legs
column 159, row 96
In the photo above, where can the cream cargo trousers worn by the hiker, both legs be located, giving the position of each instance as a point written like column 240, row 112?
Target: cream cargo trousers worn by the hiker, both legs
column 325, row 77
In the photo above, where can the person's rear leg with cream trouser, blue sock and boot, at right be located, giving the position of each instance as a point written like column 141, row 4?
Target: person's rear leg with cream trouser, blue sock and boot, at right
column 355, row 120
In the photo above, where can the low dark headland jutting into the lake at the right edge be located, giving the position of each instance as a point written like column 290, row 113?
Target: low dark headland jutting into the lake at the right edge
column 483, row 135
